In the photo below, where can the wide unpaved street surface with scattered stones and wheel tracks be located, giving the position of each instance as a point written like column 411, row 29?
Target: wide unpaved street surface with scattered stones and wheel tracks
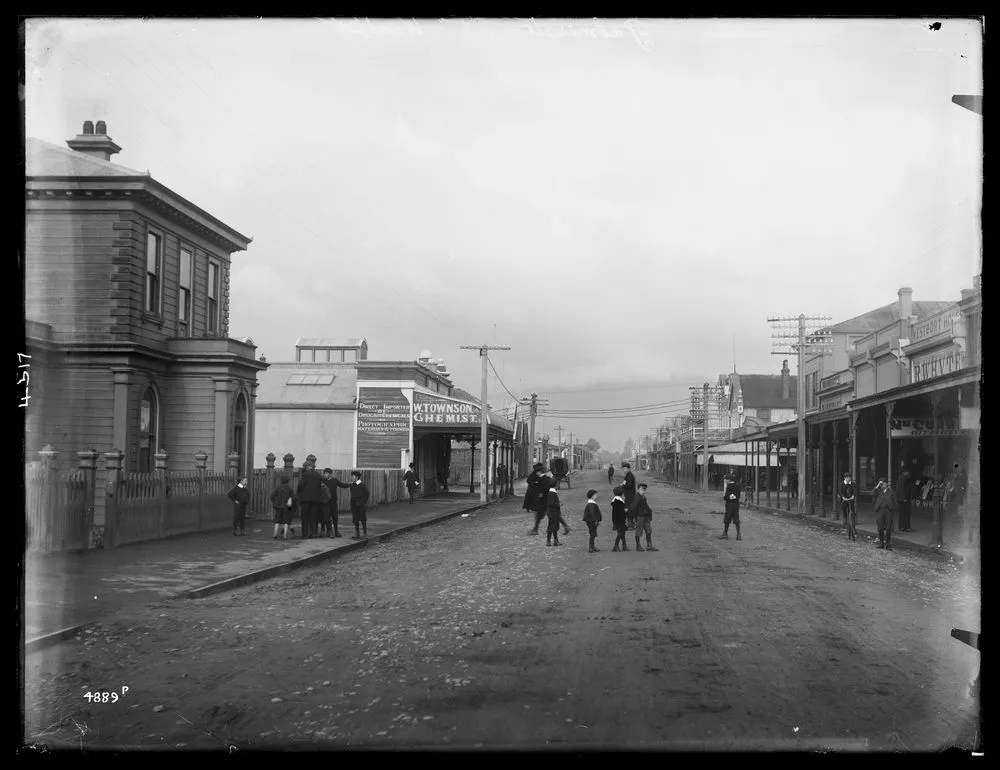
column 471, row 633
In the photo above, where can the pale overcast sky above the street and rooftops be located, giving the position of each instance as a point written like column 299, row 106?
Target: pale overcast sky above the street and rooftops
column 614, row 200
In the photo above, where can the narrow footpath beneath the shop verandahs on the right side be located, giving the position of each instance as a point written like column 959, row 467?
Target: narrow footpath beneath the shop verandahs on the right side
column 955, row 536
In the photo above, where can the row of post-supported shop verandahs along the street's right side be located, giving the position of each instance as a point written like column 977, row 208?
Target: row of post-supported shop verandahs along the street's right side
column 932, row 429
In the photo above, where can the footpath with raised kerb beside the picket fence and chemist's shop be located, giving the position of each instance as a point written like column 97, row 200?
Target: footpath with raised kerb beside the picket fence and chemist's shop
column 64, row 592
